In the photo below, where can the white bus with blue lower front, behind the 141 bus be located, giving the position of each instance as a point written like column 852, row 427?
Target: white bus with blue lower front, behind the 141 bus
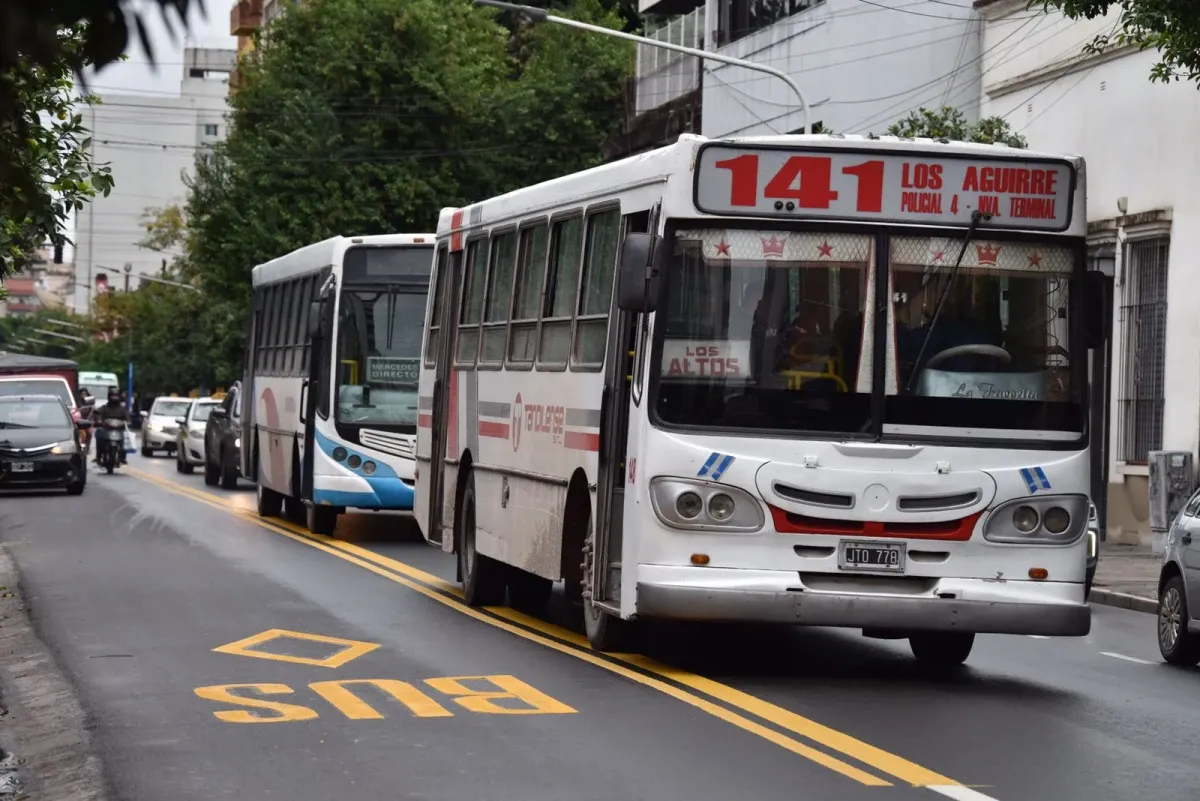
column 329, row 402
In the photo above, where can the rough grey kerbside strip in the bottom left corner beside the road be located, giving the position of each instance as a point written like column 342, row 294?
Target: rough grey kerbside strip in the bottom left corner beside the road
column 45, row 725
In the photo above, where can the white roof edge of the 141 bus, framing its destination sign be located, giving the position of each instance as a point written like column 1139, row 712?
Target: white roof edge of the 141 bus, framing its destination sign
column 680, row 159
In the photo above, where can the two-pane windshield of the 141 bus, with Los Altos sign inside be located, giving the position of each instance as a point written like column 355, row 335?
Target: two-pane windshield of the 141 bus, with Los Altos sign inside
column 777, row 330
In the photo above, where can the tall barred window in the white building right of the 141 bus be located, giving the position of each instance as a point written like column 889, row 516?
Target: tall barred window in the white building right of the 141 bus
column 1144, row 348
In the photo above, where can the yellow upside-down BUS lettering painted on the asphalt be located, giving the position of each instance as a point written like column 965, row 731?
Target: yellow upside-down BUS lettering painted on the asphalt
column 502, row 695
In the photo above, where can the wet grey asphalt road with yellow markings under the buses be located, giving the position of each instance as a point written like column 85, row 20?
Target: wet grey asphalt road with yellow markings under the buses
column 139, row 585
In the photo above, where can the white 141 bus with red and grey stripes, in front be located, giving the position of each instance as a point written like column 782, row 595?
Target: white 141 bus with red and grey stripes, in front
column 820, row 381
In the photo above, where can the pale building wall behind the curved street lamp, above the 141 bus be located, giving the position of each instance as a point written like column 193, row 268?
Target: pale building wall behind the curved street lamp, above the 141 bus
column 861, row 65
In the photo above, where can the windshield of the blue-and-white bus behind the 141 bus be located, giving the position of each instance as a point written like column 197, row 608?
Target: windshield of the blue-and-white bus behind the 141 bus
column 379, row 356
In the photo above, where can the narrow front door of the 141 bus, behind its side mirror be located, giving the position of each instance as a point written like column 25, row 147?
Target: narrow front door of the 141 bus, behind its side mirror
column 615, row 409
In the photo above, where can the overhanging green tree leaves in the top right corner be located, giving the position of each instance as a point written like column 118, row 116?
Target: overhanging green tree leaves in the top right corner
column 1171, row 27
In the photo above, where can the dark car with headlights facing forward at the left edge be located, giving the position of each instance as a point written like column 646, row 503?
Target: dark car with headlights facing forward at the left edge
column 41, row 445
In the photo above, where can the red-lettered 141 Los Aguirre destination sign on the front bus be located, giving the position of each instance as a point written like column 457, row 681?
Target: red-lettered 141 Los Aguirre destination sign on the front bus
column 917, row 188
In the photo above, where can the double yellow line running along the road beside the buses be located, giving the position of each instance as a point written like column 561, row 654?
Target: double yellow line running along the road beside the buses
column 688, row 688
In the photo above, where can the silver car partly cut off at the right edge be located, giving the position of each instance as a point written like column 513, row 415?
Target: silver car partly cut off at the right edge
column 1179, row 589
